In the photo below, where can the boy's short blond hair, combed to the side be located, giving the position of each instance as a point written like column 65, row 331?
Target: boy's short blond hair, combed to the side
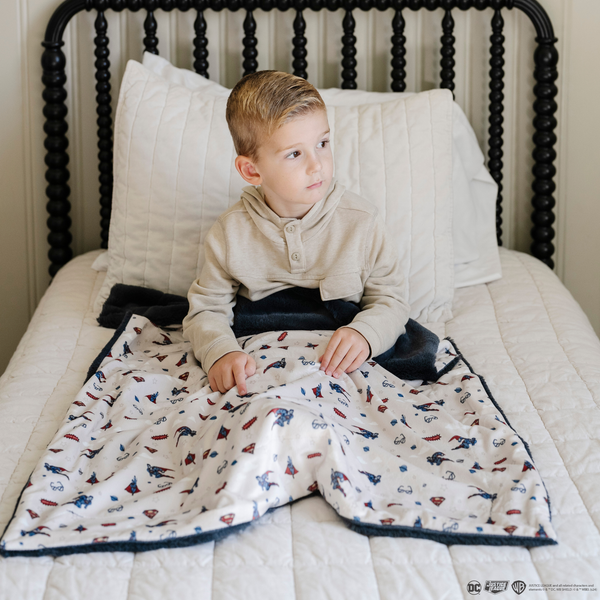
column 262, row 102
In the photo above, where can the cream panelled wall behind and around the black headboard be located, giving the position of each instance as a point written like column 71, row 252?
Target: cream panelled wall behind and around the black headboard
column 23, row 246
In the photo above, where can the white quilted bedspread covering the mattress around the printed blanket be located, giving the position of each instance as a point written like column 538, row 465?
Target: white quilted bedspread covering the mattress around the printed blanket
column 524, row 333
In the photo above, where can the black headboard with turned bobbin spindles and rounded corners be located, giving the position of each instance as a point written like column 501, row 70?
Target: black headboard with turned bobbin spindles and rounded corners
column 55, row 110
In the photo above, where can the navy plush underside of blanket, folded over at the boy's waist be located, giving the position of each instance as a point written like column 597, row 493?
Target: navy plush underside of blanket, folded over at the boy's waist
column 411, row 358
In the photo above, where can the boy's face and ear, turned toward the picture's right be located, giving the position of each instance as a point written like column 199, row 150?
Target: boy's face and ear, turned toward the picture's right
column 294, row 166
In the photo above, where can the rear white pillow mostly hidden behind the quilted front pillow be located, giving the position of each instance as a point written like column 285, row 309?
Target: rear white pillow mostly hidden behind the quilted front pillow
column 476, row 255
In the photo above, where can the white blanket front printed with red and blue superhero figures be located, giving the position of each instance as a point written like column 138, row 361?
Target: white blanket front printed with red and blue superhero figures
column 149, row 456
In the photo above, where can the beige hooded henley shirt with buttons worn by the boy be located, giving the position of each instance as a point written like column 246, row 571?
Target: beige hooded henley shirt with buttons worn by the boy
column 340, row 246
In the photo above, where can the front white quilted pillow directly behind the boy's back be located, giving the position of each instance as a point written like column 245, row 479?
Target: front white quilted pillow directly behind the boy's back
column 174, row 175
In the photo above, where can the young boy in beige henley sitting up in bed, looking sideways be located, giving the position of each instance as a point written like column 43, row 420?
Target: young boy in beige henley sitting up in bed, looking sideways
column 297, row 227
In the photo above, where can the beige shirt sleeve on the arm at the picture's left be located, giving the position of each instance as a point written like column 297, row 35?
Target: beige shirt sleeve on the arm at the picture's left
column 212, row 298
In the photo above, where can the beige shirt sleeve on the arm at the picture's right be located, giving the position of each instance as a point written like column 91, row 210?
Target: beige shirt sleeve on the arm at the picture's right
column 384, row 310
